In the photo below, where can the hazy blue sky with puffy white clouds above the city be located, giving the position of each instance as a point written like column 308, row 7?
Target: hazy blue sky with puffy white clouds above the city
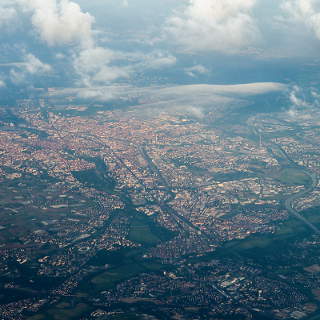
column 95, row 43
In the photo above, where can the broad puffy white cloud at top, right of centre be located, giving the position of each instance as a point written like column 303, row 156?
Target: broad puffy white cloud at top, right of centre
column 215, row 25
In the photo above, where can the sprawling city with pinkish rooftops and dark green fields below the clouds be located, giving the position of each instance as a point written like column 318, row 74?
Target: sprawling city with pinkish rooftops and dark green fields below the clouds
column 126, row 214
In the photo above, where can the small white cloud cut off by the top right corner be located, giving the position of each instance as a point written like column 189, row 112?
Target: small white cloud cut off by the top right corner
column 306, row 12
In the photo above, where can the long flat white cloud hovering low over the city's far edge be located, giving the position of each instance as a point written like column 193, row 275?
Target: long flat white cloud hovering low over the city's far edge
column 198, row 100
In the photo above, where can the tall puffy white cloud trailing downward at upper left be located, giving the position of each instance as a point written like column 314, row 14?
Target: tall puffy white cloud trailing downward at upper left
column 62, row 22
